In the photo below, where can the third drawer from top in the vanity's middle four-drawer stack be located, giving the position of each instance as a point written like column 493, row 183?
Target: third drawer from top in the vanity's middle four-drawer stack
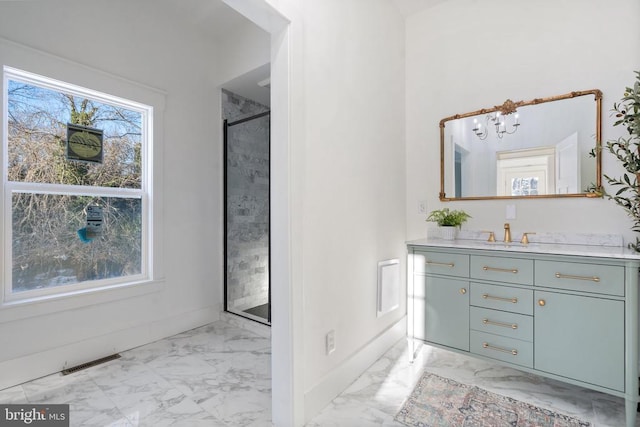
column 511, row 325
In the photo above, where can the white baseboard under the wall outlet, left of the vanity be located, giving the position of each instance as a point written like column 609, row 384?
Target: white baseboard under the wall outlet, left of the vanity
column 347, row 372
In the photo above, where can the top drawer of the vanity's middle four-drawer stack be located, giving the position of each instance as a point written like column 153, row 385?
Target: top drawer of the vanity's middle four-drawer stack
column 511, row 270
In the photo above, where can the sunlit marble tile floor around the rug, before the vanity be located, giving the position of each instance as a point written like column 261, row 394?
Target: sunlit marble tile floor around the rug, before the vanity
column 377, row 395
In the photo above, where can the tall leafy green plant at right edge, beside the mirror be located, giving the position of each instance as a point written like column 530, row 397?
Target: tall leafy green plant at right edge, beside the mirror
column 627, row 151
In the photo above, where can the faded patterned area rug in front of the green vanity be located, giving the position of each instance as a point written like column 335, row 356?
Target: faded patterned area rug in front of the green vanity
column 442, row 402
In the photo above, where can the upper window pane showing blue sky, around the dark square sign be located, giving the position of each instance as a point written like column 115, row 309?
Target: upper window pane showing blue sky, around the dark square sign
column 37, row 135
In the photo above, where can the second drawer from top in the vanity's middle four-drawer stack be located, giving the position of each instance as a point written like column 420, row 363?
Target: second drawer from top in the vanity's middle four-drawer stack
column 504, row 298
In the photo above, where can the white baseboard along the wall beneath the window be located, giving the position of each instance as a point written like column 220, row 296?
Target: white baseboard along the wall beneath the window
column 27, row 368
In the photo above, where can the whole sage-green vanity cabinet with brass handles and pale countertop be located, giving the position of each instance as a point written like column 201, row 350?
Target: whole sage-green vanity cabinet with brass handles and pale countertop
column 566, row 315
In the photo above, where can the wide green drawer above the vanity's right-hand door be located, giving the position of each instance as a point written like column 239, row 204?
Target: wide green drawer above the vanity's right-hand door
column 596, row 278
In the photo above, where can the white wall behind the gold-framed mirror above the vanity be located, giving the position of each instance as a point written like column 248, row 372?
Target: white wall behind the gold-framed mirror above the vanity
column 463, row 55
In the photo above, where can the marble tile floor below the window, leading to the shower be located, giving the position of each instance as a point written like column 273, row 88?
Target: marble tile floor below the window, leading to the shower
column 218, row 375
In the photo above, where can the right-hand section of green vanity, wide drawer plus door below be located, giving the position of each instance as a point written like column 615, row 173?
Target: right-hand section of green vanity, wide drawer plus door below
column 580, row 320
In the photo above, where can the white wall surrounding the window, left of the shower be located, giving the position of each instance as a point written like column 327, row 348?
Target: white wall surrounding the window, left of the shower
column 146, row 45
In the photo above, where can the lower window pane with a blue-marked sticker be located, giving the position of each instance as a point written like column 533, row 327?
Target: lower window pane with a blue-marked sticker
column 48, row 251
